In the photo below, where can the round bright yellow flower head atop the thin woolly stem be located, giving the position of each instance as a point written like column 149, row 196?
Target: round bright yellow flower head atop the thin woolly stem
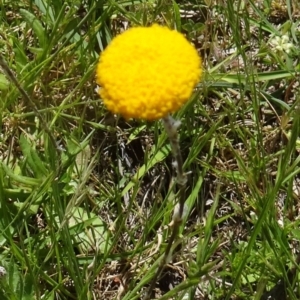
column 147, row 72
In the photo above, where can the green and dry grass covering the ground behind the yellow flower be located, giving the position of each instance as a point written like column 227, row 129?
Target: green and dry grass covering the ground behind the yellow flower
column 86, row 197
